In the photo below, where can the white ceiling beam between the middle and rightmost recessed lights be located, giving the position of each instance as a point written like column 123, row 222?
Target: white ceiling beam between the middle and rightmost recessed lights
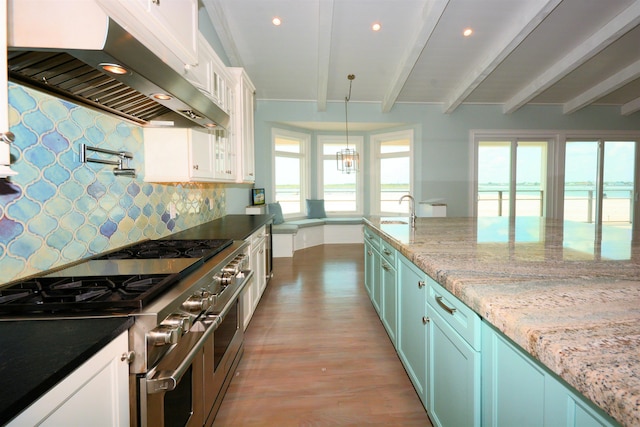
column 431, row 15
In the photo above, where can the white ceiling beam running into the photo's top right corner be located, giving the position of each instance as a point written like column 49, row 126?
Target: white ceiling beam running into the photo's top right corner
column 602, row 38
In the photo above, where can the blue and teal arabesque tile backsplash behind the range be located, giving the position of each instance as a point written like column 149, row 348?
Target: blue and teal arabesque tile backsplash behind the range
column 58, row 210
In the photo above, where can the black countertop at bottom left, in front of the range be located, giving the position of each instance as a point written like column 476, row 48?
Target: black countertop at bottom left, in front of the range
column 37, row 354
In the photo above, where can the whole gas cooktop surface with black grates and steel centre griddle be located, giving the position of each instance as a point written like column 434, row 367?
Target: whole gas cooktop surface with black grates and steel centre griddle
column 123, row 280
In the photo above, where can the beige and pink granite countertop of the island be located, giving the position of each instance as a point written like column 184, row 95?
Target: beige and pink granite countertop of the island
column 567, row 295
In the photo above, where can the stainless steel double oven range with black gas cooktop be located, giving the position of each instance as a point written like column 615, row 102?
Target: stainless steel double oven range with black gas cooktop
column 186, row 340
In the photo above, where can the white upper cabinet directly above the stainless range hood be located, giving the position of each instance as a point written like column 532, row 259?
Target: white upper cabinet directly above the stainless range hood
column 169, row 28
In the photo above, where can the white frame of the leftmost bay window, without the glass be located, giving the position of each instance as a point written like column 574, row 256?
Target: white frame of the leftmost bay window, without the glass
column 304, row 154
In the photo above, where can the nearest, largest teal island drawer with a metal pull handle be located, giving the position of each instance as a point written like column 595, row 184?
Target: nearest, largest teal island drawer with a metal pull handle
column 461, row 318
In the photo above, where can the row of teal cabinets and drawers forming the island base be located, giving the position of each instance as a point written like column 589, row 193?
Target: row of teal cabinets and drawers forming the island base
column 466, row 371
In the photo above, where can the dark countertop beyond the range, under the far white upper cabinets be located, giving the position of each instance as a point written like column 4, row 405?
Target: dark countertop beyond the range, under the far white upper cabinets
column 236, row 227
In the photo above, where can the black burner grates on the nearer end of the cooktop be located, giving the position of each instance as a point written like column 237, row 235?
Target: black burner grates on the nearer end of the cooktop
column 84, row 294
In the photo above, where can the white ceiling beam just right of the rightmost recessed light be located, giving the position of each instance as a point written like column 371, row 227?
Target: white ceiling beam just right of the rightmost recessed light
column 510, row 41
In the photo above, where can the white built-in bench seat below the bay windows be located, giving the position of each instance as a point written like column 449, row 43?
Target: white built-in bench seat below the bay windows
column 302, row 233
